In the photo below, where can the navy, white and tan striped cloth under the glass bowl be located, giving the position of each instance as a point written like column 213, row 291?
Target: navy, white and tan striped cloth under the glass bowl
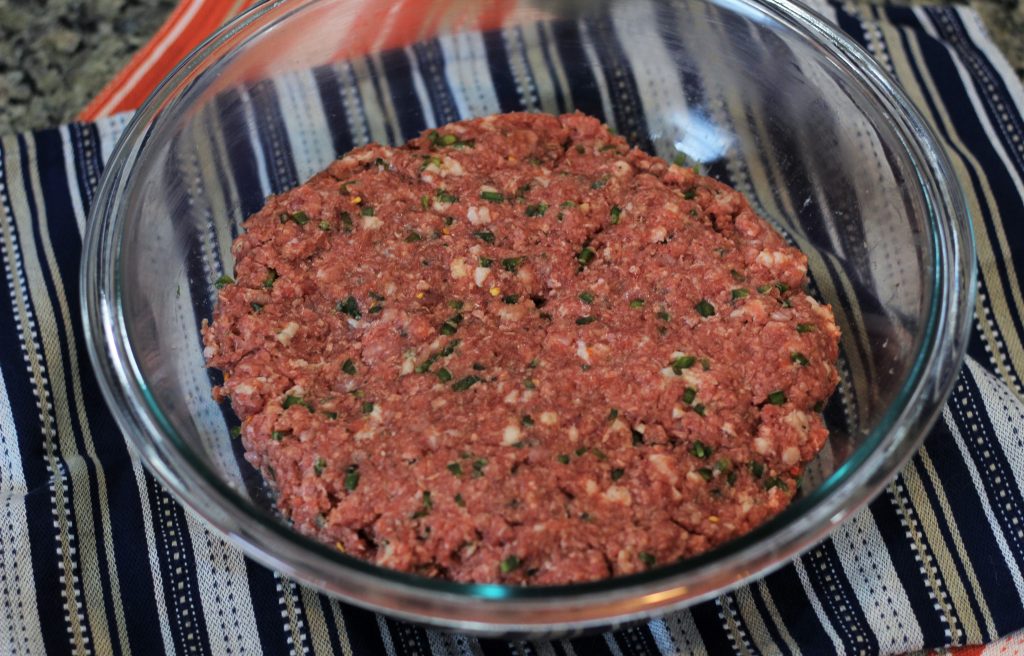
column 92, row 543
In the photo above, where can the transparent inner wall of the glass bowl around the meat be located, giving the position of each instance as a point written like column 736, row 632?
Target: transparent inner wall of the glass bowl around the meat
column 726, row 85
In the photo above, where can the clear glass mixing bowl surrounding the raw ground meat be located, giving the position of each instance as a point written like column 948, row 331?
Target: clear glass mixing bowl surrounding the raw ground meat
column 763, row 94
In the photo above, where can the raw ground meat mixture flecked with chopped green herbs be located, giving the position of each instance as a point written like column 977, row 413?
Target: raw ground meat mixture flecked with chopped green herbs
column 518, row 351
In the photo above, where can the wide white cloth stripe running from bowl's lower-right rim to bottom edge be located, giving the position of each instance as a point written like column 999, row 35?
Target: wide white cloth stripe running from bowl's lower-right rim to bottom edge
column 877, row 585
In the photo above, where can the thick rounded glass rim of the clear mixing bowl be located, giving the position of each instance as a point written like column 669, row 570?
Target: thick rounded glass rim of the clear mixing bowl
column 499, row 609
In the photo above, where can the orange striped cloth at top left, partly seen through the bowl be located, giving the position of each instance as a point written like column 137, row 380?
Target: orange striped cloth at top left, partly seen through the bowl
column 378, row 26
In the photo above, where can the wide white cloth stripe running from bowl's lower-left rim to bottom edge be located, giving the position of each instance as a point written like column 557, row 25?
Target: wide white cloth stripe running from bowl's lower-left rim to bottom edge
column 224, row 590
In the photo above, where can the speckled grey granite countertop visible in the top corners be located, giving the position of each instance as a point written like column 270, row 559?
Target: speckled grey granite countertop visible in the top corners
column 57, row 55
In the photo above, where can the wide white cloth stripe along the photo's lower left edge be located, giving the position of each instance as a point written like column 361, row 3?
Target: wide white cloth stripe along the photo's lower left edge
column 21, row 627
